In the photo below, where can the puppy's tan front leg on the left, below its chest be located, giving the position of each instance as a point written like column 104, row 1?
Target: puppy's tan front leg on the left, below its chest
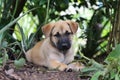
column 54, row 64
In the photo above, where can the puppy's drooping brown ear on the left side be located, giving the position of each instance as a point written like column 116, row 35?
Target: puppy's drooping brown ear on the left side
column 46, row 29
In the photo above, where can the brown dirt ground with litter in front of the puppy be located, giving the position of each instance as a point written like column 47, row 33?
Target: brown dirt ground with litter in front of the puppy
column 33, row 72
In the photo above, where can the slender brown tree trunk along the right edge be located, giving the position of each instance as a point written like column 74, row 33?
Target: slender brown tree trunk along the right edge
column 115, row 34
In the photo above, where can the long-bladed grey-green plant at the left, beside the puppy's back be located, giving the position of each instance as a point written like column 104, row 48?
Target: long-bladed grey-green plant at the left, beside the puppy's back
column 4, row 44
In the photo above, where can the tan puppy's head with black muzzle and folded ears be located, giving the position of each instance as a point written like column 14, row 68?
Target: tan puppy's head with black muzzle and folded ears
column 60, row 33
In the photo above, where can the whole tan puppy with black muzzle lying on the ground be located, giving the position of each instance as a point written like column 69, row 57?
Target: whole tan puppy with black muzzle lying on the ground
column 55, row 51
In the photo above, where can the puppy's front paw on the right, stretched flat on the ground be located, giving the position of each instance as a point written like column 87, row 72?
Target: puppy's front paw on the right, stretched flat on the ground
column 76, row 66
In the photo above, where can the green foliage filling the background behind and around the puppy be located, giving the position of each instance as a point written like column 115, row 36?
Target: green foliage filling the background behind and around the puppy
column 95, row 17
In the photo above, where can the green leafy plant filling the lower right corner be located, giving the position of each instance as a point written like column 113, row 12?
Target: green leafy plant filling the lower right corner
column 108, row 71
